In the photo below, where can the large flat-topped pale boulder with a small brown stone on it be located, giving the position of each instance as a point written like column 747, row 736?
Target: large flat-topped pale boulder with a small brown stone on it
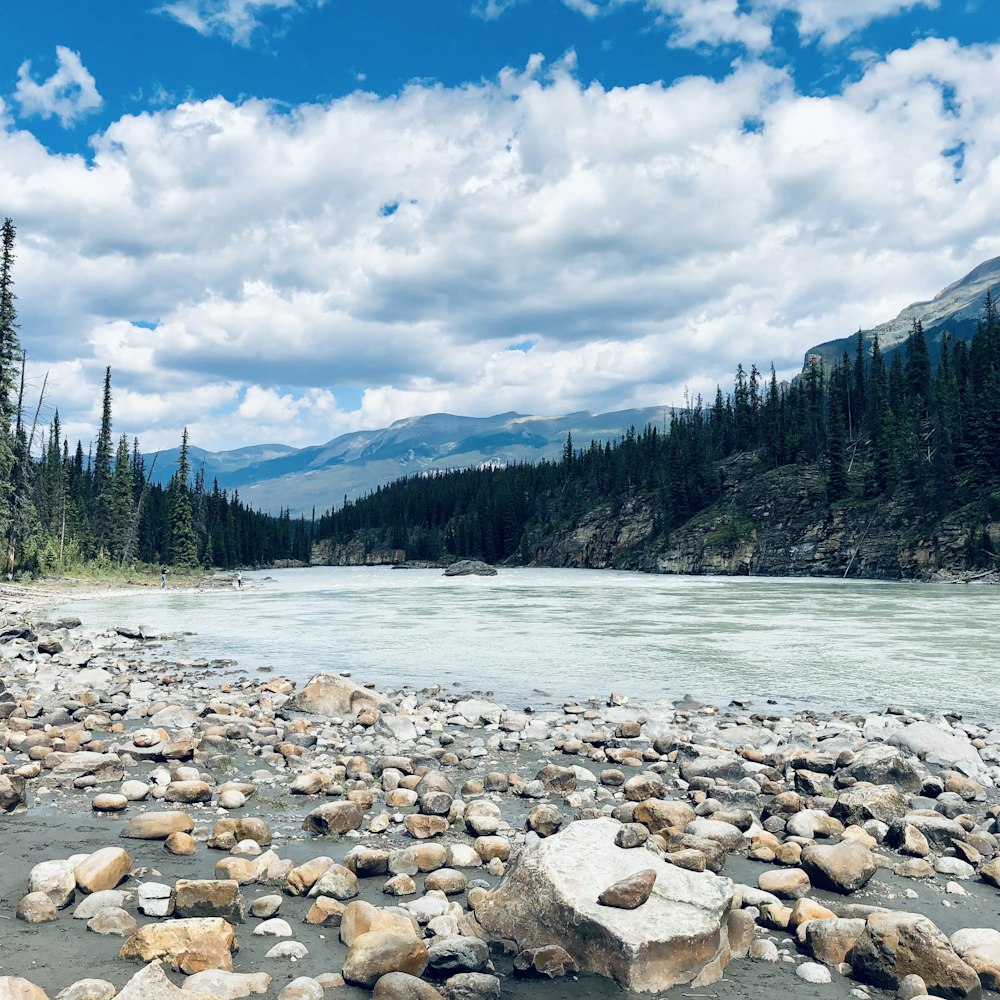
column 550, row 896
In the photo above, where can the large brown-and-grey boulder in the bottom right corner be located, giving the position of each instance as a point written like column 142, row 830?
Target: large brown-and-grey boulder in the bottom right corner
column 895, row 944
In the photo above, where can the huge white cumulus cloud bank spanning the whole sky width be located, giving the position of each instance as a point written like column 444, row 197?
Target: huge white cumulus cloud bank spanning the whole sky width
column 246, row 269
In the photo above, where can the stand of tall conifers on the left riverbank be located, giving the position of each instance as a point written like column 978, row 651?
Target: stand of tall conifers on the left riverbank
column 62, row 509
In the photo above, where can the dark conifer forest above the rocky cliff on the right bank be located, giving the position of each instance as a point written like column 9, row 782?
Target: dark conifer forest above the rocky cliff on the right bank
column 883, row 427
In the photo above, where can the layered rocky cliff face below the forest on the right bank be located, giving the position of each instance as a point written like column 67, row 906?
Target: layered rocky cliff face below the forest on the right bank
column 774, row 523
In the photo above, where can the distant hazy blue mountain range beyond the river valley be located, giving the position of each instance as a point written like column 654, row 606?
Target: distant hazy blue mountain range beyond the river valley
column 273, row 476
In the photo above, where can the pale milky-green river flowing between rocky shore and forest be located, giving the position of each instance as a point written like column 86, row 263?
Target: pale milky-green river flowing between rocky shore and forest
column 540, row 636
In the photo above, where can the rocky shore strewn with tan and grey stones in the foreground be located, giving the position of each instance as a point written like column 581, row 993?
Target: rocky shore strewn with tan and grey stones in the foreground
column 164, row 834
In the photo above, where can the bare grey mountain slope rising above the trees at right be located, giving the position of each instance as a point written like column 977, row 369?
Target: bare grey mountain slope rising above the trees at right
column 955, row 310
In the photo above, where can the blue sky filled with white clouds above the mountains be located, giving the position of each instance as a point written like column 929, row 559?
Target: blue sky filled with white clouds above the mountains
column 278, row 220
